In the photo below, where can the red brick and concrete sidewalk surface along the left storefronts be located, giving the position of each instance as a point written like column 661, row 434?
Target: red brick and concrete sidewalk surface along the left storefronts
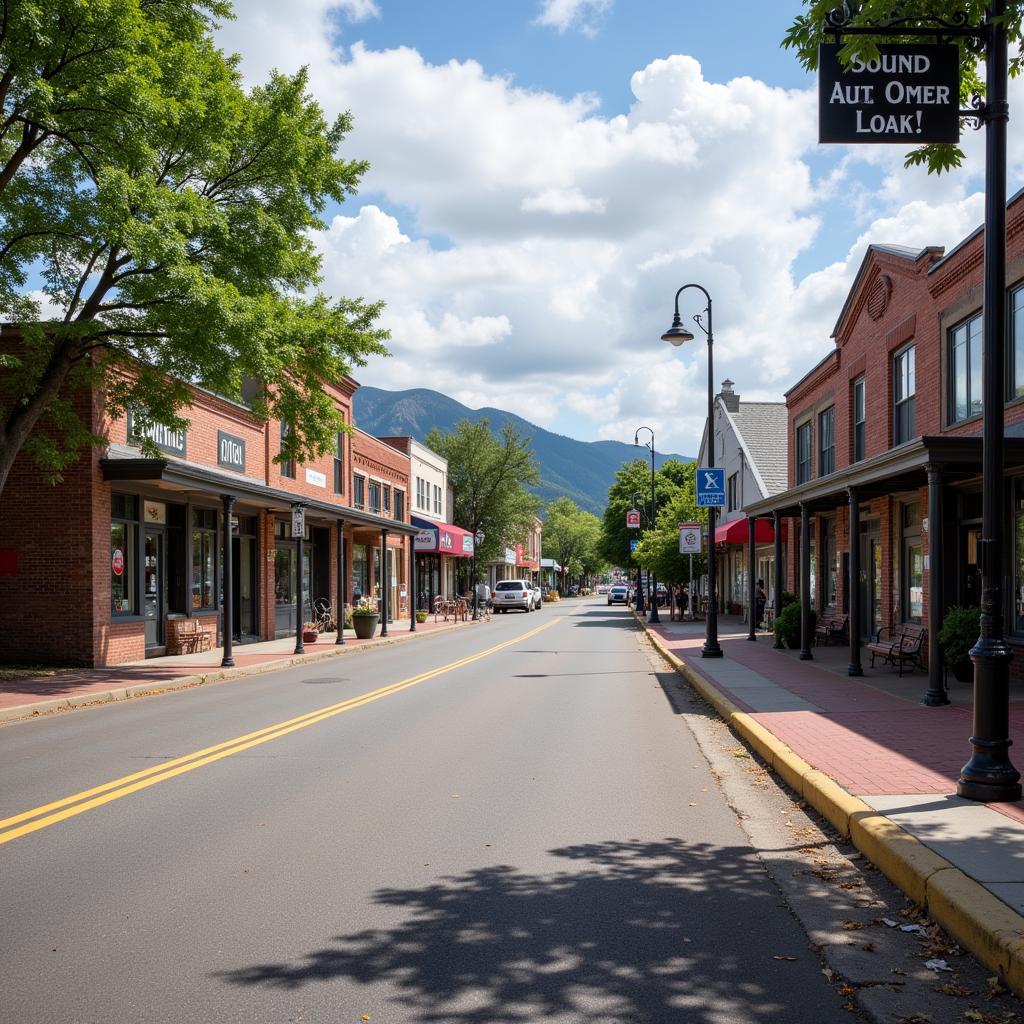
column 81, row 685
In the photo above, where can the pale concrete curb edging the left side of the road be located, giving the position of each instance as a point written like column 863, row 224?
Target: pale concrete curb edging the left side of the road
column 156, row 688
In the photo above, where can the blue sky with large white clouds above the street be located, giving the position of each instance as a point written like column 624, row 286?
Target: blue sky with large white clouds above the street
column 544, row 175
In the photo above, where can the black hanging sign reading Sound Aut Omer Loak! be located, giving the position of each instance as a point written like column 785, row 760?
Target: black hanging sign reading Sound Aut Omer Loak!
column 909, row 95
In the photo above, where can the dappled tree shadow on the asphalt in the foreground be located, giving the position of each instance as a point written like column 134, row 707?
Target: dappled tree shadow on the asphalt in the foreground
column 657, row 932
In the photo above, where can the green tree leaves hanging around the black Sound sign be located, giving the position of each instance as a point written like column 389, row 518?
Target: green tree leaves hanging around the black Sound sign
column 810, row 29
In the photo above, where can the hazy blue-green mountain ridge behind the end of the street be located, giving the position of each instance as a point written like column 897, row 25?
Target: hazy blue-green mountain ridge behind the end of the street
column 581, row 471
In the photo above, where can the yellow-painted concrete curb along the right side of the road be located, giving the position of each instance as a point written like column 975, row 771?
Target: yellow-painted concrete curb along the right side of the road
column 977, row 920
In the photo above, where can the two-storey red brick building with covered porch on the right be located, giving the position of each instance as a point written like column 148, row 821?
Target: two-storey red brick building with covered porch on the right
column 885, row 446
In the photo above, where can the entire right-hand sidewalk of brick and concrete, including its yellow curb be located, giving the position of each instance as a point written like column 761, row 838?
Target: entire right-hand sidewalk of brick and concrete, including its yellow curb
column 883, row 770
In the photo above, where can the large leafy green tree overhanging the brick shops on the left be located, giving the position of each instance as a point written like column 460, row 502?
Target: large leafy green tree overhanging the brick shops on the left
column 168, row 212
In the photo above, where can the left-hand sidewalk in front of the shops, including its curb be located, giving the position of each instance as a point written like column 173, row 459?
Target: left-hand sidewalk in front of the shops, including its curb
column 31, row 696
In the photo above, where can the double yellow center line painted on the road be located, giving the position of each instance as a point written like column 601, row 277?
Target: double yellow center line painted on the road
column 50, row 815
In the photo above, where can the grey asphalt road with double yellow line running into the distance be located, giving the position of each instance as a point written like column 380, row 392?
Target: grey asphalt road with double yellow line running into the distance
column 532, row 835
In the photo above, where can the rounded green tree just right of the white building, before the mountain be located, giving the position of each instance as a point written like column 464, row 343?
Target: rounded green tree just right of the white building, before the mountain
column 489, row 477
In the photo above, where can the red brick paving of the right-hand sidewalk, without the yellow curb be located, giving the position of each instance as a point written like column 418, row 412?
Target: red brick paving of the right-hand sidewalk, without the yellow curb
column 870, row 741
